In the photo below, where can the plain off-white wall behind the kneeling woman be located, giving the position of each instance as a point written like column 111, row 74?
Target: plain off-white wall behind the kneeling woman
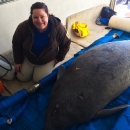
column 11, row 14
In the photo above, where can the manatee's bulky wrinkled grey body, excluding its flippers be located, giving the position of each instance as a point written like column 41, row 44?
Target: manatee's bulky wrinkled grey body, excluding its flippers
column 89, row 84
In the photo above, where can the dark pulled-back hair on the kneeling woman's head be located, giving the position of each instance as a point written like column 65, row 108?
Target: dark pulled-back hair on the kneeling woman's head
column 39, row 5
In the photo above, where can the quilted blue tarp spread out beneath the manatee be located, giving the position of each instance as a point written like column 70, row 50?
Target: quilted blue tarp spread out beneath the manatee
column 23, row 111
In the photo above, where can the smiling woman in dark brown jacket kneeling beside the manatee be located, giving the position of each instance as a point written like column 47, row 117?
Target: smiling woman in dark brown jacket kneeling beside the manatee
column 39, row 43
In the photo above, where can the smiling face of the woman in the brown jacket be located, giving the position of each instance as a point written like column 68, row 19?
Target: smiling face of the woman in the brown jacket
column 40, row 19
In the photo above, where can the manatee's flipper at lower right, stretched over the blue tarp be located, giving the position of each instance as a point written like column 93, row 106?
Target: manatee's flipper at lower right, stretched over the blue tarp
column 107, row 112
